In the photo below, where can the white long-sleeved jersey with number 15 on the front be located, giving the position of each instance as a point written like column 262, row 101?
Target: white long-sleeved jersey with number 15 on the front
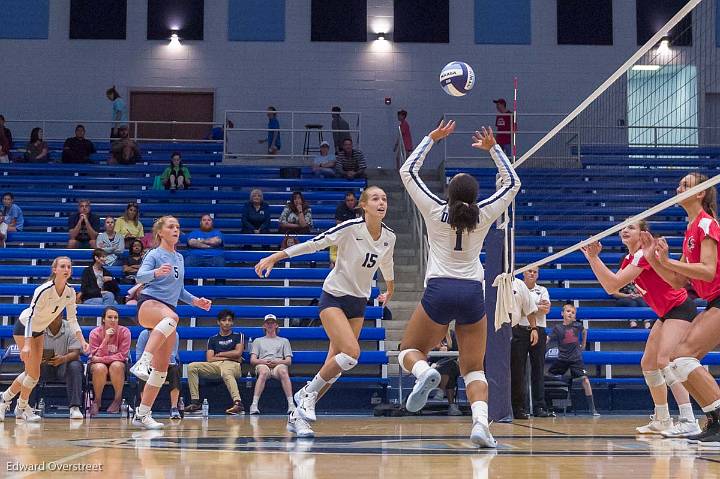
column 359, row 257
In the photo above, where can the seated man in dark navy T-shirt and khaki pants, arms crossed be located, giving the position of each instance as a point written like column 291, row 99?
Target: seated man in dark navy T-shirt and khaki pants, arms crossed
column 223, row 360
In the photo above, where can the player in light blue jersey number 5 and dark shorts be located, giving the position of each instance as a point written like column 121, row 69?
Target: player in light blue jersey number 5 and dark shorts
column 163, row 273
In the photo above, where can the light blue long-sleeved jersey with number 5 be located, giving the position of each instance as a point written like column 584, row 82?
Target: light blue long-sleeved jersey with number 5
column 168, row 288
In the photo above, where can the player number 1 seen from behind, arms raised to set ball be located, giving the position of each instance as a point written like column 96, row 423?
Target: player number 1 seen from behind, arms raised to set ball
column 454, row 278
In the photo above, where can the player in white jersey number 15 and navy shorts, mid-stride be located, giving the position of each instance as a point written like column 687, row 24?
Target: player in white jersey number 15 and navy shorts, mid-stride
column 364, row 245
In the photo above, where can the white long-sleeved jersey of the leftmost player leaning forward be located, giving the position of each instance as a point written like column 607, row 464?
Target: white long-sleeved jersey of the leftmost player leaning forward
column 46, row 305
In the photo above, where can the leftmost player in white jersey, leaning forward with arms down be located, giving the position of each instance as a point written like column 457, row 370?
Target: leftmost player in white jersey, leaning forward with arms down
column 49, row 300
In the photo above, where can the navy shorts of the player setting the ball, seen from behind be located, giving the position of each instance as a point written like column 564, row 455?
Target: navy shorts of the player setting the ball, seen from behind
column 447, row 299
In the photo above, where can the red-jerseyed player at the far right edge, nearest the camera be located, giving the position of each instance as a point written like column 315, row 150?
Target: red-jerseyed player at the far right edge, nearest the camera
column 698, row 265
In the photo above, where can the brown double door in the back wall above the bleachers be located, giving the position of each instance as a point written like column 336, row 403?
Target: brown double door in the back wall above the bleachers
column 172, row 106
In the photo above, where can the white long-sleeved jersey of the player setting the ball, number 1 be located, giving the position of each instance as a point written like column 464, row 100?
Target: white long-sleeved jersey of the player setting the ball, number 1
column 450, row 256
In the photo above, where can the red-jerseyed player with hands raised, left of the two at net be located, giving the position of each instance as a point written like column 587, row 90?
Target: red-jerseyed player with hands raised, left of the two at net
column 676, row 312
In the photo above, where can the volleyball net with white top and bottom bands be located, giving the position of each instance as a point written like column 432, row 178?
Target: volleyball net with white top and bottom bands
column 618, row 156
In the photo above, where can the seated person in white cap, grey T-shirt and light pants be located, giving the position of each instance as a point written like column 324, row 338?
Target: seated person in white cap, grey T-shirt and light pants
column 271, row 356
